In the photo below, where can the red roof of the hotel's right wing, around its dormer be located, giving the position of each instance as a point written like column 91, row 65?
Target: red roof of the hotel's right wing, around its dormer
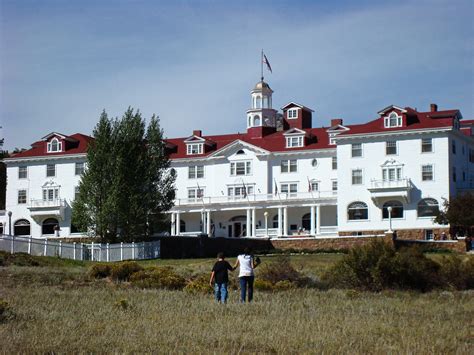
column 412, row 120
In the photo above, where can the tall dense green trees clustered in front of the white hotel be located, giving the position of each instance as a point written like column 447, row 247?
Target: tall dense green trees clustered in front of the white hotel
column 127, row 185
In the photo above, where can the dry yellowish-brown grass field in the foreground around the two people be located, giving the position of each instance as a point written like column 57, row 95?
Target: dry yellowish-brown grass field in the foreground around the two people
column 57, row 308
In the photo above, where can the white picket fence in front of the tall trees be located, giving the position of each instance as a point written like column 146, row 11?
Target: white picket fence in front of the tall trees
column 81, row 251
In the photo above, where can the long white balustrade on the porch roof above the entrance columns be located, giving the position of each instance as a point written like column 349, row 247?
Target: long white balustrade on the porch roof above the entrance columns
column 206, row 200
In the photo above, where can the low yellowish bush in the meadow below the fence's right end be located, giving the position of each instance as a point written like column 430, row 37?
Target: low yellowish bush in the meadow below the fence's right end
column 158, row 277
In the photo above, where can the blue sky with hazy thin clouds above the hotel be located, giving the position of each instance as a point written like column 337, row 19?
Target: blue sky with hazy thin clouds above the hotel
column 193, row 63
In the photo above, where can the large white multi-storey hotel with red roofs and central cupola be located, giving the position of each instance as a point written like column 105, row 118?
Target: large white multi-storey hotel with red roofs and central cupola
column 282, row 177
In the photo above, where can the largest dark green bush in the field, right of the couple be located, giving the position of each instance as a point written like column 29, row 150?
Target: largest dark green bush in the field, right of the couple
column 378, row 266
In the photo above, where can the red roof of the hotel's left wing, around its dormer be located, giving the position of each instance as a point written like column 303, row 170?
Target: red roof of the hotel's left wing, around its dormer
column 75, row 144
